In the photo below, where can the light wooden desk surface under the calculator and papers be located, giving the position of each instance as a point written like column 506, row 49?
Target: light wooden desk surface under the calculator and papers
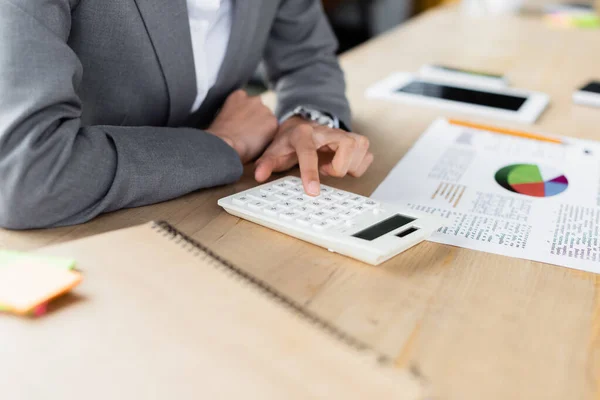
column 478, row 326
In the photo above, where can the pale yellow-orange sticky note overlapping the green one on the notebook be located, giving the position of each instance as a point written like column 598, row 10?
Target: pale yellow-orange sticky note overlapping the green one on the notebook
column 26, row 284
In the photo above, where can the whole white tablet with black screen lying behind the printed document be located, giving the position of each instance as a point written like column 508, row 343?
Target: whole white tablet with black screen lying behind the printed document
column 508, row 104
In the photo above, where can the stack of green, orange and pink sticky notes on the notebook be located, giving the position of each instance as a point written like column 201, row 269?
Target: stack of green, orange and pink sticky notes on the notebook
column 29, row 282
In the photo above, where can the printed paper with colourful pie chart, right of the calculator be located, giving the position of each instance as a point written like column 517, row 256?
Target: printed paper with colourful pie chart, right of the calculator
column 505, row 194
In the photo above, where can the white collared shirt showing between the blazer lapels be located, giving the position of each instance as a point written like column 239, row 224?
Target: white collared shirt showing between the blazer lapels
column 210, row 26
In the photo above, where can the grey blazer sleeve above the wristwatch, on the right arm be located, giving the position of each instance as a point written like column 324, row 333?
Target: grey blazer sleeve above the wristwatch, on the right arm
column 301, row 61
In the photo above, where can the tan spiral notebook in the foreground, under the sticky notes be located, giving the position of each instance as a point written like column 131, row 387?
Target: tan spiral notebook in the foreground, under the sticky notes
column 159, row 316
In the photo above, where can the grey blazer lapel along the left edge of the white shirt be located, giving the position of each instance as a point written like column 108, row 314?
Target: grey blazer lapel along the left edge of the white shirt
column 167, row 23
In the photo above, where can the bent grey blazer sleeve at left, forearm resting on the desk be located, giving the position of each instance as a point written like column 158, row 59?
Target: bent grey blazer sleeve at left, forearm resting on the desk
column 53, row 170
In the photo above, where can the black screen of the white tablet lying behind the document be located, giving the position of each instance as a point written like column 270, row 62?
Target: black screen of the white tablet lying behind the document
column 469, row 96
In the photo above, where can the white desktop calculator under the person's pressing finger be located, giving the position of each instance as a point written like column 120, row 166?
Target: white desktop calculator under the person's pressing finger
column 342, row 222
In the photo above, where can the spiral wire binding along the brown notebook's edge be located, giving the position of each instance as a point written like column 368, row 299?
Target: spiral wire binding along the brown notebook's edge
column 191, row 245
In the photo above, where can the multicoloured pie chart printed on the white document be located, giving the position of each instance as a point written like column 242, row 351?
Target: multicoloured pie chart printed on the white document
column 532, row 180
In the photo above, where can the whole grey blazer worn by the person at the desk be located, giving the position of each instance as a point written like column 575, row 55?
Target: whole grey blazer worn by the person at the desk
column 95, row 98
